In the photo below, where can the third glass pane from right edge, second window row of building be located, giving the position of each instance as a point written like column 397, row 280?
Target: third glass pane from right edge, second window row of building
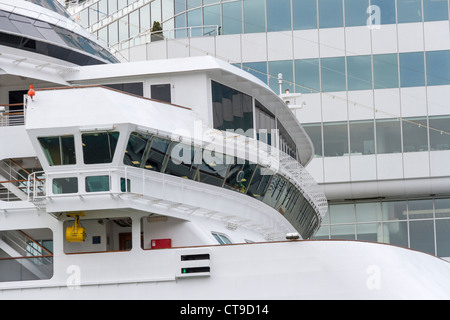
column 385, row 71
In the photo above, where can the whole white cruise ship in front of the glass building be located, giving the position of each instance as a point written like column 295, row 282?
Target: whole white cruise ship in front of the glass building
column 175, row 179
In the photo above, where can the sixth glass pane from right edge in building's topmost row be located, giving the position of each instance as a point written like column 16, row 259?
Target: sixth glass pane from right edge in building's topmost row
column 304, row 14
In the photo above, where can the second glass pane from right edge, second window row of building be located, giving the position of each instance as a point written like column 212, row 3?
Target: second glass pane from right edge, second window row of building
column 412, row 70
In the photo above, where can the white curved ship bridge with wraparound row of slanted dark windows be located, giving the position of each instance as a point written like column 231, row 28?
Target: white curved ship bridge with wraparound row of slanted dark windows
column 104, row 150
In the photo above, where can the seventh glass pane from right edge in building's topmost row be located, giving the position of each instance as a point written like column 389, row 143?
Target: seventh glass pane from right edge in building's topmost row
column 278, row 15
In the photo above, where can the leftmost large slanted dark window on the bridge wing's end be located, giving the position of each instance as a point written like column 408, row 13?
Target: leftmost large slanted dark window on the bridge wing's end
column 58, row 150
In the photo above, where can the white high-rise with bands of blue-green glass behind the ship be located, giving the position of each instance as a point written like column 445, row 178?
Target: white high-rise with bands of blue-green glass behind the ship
column 374, row 79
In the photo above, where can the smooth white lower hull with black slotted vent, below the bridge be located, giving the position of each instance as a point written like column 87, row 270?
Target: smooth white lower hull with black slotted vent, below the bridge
column 280, row 270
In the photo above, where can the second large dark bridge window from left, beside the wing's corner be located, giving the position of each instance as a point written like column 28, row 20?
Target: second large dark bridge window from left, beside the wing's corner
column 99, row 147
